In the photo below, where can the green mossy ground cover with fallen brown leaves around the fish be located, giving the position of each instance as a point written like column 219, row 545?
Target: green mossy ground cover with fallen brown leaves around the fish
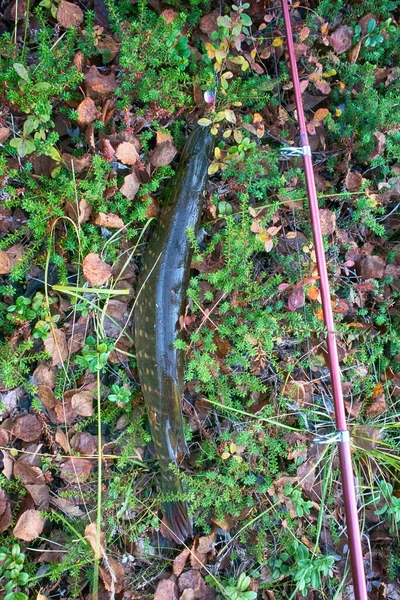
column 97, row 101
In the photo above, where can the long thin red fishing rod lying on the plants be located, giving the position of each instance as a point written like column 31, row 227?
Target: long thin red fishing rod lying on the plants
column 342, row 435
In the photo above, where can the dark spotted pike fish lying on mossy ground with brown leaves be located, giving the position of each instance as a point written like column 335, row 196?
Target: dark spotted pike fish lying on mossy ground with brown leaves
column 161, row 297
